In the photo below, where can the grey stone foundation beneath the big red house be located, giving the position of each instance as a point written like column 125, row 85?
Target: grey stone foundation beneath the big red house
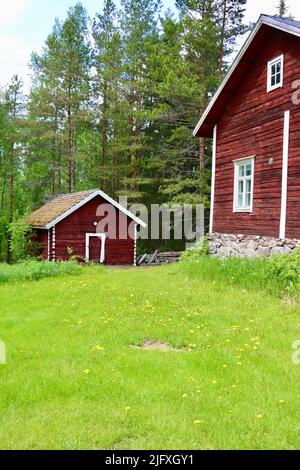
column 222, row 244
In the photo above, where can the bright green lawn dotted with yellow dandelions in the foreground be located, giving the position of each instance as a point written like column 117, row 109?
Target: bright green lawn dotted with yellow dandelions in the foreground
column 74, row 381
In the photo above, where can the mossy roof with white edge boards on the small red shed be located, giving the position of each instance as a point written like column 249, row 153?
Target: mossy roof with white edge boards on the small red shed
column 63, row 205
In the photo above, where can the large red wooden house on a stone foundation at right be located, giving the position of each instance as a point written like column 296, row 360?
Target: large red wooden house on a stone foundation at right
column 254, row 120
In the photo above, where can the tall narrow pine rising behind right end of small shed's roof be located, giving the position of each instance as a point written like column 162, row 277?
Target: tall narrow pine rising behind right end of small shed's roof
column 139, row 22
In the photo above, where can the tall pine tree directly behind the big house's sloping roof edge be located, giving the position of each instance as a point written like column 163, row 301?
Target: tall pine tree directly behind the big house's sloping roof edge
column 210, row 29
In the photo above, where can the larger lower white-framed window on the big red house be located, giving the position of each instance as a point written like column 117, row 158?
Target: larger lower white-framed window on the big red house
column 243, row 184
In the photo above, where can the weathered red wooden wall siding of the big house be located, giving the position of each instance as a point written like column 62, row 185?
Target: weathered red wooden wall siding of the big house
column 252, row 124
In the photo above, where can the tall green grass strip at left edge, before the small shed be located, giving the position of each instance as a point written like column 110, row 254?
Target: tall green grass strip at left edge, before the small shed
column 34, row 270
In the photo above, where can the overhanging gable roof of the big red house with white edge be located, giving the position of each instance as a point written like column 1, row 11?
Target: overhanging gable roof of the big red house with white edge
column 241, row 64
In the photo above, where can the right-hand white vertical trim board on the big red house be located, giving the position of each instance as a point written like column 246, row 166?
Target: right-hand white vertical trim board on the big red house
column 285, row 165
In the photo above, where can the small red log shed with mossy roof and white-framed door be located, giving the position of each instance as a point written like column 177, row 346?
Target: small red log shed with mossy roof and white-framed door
column 76, row 224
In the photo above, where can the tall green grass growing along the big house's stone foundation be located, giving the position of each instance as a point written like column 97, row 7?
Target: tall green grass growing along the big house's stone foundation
column 279, row 274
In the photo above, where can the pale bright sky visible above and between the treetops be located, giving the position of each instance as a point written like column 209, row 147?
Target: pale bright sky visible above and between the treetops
column 25, row 24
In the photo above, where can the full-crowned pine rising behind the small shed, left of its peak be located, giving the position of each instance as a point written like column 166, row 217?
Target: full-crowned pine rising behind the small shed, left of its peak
column 64, row 70
